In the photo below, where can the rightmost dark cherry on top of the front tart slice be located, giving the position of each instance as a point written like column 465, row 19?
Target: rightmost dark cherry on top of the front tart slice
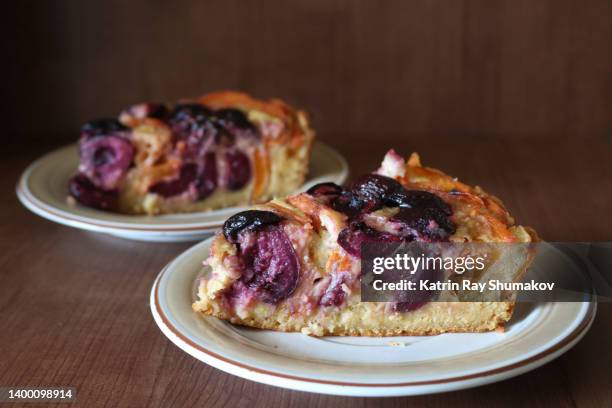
column 423, row 224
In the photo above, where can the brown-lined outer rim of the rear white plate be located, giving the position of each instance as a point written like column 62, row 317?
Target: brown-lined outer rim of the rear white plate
column 48, row 211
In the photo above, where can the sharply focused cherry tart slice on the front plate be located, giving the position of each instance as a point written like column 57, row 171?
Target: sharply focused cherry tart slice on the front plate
column 294, row 264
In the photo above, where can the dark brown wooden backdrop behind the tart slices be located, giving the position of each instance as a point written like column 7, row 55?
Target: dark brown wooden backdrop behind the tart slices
column 419, row 69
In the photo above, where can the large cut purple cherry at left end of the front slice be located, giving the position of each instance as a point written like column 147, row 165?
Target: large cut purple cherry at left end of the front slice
column 270, row 264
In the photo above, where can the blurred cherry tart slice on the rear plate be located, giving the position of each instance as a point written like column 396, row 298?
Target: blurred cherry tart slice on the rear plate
column 220, row 150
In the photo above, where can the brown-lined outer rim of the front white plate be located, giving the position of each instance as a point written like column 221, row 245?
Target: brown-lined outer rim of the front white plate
column 360, row 388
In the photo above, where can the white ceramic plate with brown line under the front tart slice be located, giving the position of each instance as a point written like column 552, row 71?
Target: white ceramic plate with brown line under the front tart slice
column 356, row 366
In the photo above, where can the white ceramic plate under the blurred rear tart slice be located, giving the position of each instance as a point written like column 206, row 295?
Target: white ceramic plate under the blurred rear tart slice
column 43, row 189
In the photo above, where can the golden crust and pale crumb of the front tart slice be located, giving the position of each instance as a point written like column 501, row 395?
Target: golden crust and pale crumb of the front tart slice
column 479, row 217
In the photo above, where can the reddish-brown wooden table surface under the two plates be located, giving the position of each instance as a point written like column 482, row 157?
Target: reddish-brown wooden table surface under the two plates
column 74, row 305
